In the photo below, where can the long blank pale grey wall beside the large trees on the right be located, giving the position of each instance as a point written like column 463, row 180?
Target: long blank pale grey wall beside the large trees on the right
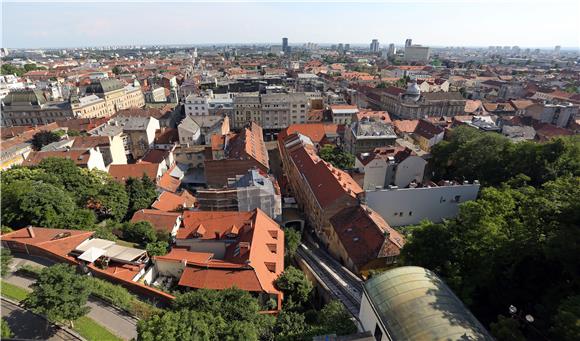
column 408, row 206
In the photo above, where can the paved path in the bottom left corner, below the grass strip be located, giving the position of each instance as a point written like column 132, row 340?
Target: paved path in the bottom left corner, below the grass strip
column 26, row 325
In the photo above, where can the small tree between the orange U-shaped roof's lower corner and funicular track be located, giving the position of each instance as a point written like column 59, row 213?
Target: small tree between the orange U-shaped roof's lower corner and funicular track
column 296, row 287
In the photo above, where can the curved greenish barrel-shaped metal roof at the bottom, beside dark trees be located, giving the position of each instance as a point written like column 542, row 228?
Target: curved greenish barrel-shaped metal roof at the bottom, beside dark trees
column 415, row 304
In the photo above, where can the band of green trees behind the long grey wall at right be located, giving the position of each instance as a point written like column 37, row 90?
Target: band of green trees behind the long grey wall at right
column 469, row 154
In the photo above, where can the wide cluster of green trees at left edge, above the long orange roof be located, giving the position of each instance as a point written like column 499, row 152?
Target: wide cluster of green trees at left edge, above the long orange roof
column 59, row 194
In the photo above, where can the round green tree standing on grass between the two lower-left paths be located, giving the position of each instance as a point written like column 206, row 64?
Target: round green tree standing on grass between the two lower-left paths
column 59, row 294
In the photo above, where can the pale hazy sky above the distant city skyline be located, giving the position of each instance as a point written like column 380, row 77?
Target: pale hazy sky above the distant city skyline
column 526, row 23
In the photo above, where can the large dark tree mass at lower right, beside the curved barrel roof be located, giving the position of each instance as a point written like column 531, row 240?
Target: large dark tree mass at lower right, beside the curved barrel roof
column 515, row 245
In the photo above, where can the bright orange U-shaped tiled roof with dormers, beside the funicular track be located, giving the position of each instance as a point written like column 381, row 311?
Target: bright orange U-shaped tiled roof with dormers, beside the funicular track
column 260, row 242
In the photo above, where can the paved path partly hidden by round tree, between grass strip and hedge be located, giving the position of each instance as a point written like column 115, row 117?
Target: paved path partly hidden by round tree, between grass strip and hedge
column 117, row 321
